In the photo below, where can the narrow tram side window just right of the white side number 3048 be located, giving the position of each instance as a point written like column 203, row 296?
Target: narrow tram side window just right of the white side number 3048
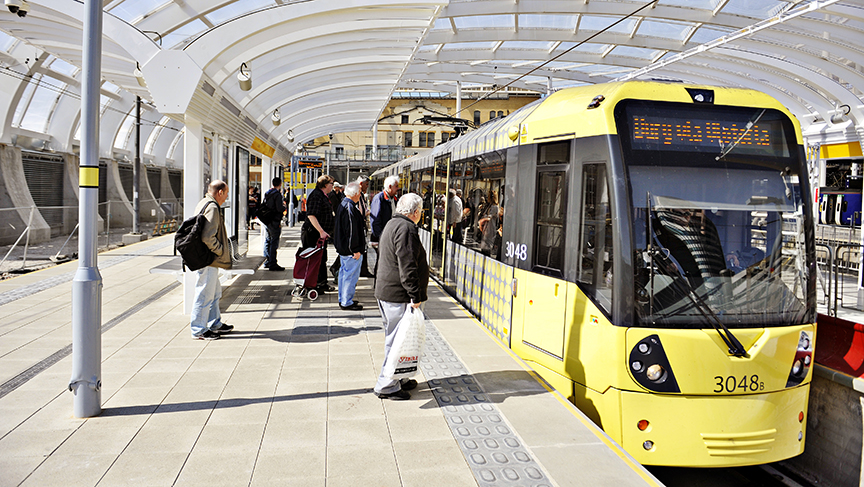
column 551, row 209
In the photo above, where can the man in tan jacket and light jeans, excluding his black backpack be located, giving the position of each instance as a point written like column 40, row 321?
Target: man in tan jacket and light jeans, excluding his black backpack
column 206, row 318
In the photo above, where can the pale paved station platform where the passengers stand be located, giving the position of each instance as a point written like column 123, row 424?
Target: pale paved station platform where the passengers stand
column 285, row 399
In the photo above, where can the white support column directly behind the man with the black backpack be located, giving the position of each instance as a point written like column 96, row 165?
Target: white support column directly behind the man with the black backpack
column 193, row 191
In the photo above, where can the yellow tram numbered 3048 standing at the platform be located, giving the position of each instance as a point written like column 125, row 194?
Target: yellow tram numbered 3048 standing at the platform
column 648, row 248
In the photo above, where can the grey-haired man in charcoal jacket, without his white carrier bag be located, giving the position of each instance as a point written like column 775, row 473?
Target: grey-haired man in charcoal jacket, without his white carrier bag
column 402, row 279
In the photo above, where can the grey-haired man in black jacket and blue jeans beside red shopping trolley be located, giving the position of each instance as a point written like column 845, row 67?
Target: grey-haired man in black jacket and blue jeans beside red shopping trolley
column 349, row 242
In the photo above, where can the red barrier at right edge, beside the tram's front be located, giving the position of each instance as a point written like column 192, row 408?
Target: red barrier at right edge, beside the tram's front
column 840, row 345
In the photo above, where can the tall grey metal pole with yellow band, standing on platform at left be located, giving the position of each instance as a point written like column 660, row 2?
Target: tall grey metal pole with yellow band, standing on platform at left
column 86, row 382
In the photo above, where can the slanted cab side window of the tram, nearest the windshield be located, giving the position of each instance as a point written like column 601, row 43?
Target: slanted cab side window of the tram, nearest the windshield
column 595, row 259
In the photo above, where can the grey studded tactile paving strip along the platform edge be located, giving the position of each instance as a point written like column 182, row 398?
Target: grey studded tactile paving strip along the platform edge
column 494, row 451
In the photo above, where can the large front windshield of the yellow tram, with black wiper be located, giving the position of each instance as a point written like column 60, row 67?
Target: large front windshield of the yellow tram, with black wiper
column 718, row 237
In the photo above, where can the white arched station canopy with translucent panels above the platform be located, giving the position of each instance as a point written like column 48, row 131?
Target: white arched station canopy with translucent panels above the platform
column 331, row 66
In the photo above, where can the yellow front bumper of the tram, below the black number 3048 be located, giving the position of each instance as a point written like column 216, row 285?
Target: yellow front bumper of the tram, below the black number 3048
column 714, row 431
